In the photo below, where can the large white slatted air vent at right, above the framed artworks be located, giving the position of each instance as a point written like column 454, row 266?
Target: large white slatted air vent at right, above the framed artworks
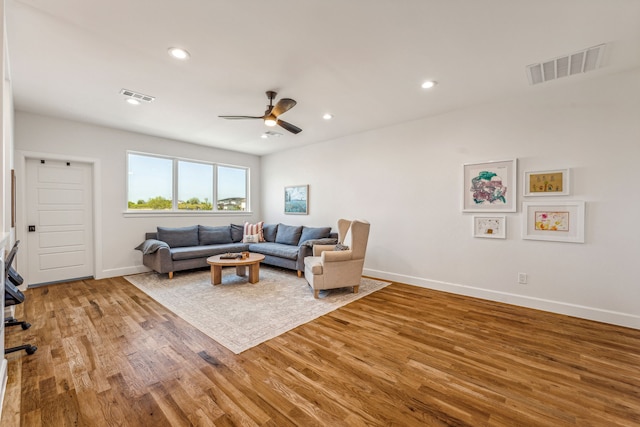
column 567, row 65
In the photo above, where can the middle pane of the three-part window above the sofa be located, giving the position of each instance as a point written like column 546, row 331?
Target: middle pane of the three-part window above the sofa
column 195, row 186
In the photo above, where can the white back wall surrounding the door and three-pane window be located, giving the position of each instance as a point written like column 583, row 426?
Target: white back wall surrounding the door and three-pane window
column 116, row 233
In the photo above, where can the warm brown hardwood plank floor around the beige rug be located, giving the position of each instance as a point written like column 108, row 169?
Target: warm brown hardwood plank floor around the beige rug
column 108, row 355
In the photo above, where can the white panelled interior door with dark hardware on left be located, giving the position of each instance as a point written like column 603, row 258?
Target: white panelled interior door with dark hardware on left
column 59, row 220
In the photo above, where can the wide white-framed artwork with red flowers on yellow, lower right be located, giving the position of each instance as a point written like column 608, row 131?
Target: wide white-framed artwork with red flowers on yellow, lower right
column 557, row 222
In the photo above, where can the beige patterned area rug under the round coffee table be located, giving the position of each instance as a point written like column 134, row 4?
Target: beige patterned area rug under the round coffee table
column 240, row 315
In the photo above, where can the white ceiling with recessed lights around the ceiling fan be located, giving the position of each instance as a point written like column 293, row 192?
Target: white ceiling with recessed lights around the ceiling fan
column 361, row 60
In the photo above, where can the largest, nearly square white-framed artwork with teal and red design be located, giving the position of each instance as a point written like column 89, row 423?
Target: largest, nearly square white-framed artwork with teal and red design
column 490, row 186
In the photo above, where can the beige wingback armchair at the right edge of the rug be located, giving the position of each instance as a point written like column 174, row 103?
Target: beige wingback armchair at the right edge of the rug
column 329, row 268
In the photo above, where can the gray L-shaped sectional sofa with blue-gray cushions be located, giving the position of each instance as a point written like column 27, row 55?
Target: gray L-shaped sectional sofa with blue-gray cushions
column 175, row 249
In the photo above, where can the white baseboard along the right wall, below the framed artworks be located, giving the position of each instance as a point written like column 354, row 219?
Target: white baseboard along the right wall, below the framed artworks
column 583, row 312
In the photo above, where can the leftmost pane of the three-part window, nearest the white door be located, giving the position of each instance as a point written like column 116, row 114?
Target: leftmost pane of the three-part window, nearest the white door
column 150, row 183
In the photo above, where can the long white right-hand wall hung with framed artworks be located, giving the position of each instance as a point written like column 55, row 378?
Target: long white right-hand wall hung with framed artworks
column 406, row 180
